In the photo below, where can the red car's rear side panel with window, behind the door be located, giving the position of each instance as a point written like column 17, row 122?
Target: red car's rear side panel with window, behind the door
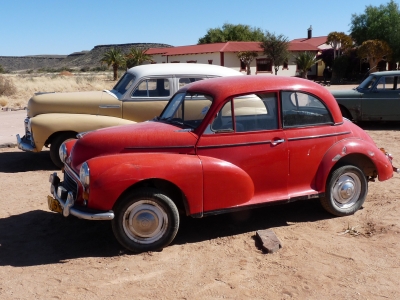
column 309, row 129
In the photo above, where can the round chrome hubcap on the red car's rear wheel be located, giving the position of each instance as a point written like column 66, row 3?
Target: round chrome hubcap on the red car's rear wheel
column 346, row 190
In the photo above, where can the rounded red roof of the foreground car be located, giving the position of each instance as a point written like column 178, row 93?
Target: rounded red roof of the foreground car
column 224, row 87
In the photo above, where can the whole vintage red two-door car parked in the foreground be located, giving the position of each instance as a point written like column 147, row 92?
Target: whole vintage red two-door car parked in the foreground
column 219, row 145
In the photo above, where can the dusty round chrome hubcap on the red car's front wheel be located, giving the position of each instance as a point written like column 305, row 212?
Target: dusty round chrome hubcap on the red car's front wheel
column 145, row 222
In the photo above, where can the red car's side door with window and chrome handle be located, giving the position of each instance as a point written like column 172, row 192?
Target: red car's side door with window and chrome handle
column 244, row 154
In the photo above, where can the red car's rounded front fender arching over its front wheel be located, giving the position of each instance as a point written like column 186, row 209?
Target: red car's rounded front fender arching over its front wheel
column 112, row 175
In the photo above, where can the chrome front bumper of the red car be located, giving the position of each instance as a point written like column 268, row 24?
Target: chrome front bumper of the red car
column 66, row 200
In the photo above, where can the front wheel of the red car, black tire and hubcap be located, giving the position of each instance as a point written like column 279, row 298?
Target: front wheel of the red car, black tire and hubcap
column 145, row 220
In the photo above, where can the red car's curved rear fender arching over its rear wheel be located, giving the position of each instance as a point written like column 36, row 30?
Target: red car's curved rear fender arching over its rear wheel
column 357, row 152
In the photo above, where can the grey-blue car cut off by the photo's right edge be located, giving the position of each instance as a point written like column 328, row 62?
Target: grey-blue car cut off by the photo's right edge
column 377, row 98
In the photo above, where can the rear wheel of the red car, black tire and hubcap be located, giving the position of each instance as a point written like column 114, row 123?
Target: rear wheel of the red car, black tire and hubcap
column 346, row 190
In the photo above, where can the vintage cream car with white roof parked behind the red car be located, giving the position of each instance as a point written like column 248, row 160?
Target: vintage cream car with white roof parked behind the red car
column 141, row 94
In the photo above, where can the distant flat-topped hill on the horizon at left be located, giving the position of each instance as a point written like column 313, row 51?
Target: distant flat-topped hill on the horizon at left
column 76, row 60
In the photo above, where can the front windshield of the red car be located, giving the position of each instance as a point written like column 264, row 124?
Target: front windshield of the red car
column 186, row 110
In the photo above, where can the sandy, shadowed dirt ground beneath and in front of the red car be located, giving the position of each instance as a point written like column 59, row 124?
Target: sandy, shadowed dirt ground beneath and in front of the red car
column 46, row 256
